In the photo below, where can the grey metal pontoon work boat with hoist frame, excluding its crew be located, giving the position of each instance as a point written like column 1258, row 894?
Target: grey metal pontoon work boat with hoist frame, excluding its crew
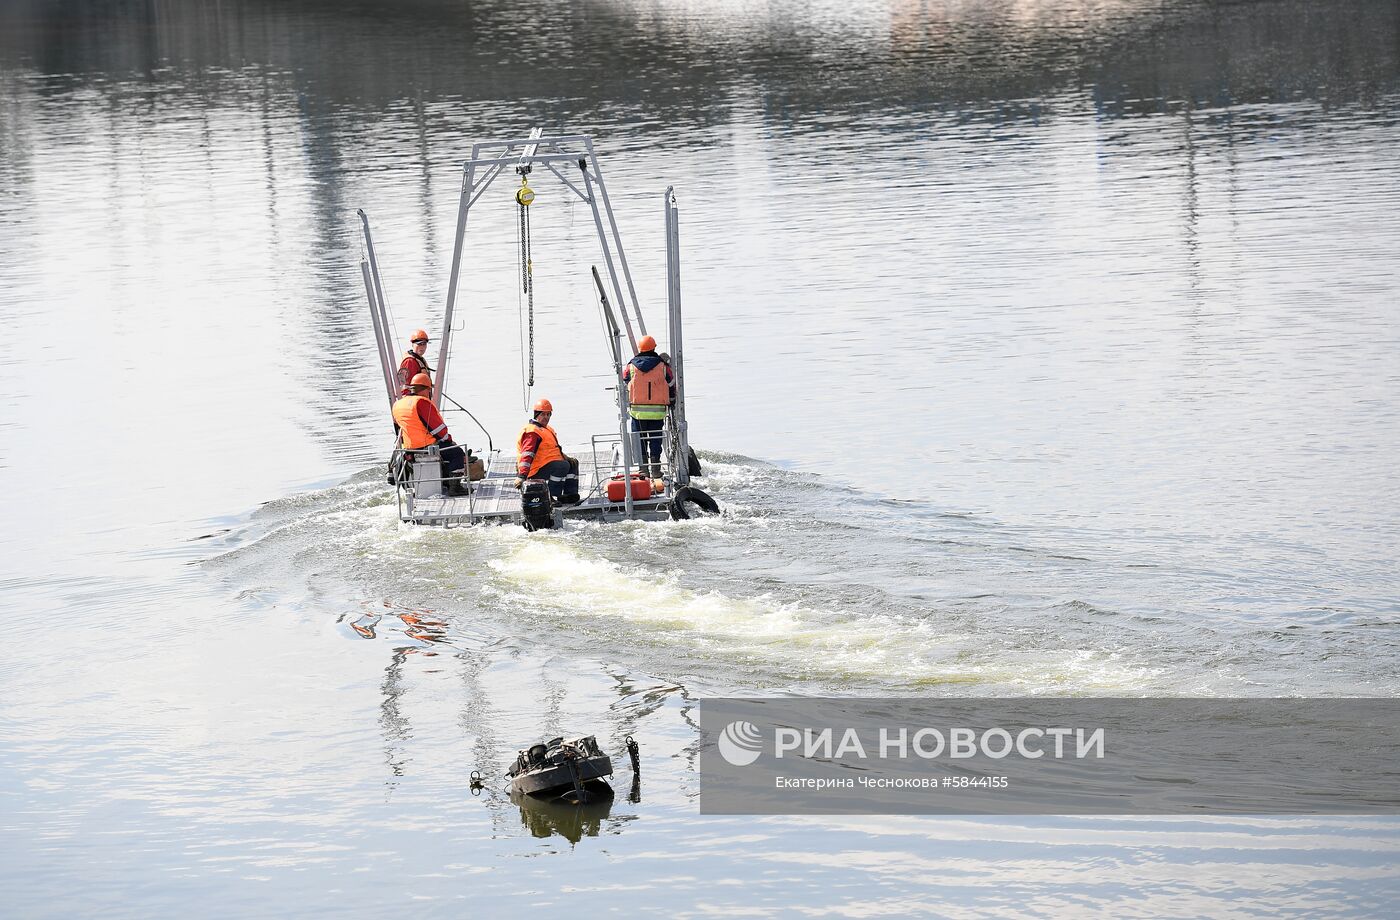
column 612, row 482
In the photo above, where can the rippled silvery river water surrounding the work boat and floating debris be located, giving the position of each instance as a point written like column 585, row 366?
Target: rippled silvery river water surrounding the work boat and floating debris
column 1034, row 348
